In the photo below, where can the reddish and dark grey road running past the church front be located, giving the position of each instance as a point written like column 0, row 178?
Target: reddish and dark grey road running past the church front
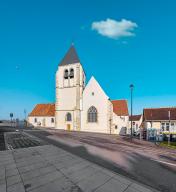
column 142, row 161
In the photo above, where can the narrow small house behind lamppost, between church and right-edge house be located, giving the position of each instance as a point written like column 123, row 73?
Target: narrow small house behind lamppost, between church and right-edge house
column 136, row 123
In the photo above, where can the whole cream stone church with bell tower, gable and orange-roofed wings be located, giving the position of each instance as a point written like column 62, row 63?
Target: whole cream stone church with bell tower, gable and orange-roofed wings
column 80, row 106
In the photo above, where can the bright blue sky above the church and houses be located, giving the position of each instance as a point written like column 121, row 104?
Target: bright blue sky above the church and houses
column 35, row 35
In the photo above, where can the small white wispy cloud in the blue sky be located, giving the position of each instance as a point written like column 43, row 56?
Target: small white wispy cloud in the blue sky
column 115, row 29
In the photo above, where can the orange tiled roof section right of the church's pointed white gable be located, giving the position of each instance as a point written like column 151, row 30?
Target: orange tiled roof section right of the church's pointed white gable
column 120, row 107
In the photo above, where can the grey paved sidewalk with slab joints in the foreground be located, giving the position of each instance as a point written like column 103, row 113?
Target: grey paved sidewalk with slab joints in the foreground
column 50, row 169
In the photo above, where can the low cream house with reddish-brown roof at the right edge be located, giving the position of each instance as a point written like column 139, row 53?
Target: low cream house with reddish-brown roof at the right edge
column 159, row 122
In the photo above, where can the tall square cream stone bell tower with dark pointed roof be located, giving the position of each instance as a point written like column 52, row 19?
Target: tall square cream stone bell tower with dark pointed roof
column 70, row 83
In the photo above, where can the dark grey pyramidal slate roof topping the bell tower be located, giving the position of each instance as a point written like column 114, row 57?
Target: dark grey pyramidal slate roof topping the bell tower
column 70, row 57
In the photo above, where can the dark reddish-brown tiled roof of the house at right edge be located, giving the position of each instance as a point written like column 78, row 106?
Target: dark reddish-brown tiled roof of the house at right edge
column 160, row 113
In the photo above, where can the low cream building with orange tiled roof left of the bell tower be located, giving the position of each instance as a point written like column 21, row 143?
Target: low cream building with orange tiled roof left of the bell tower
column 43, row 115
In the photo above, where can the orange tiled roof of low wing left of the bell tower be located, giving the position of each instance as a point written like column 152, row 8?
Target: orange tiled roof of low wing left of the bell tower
column 43, row 110
